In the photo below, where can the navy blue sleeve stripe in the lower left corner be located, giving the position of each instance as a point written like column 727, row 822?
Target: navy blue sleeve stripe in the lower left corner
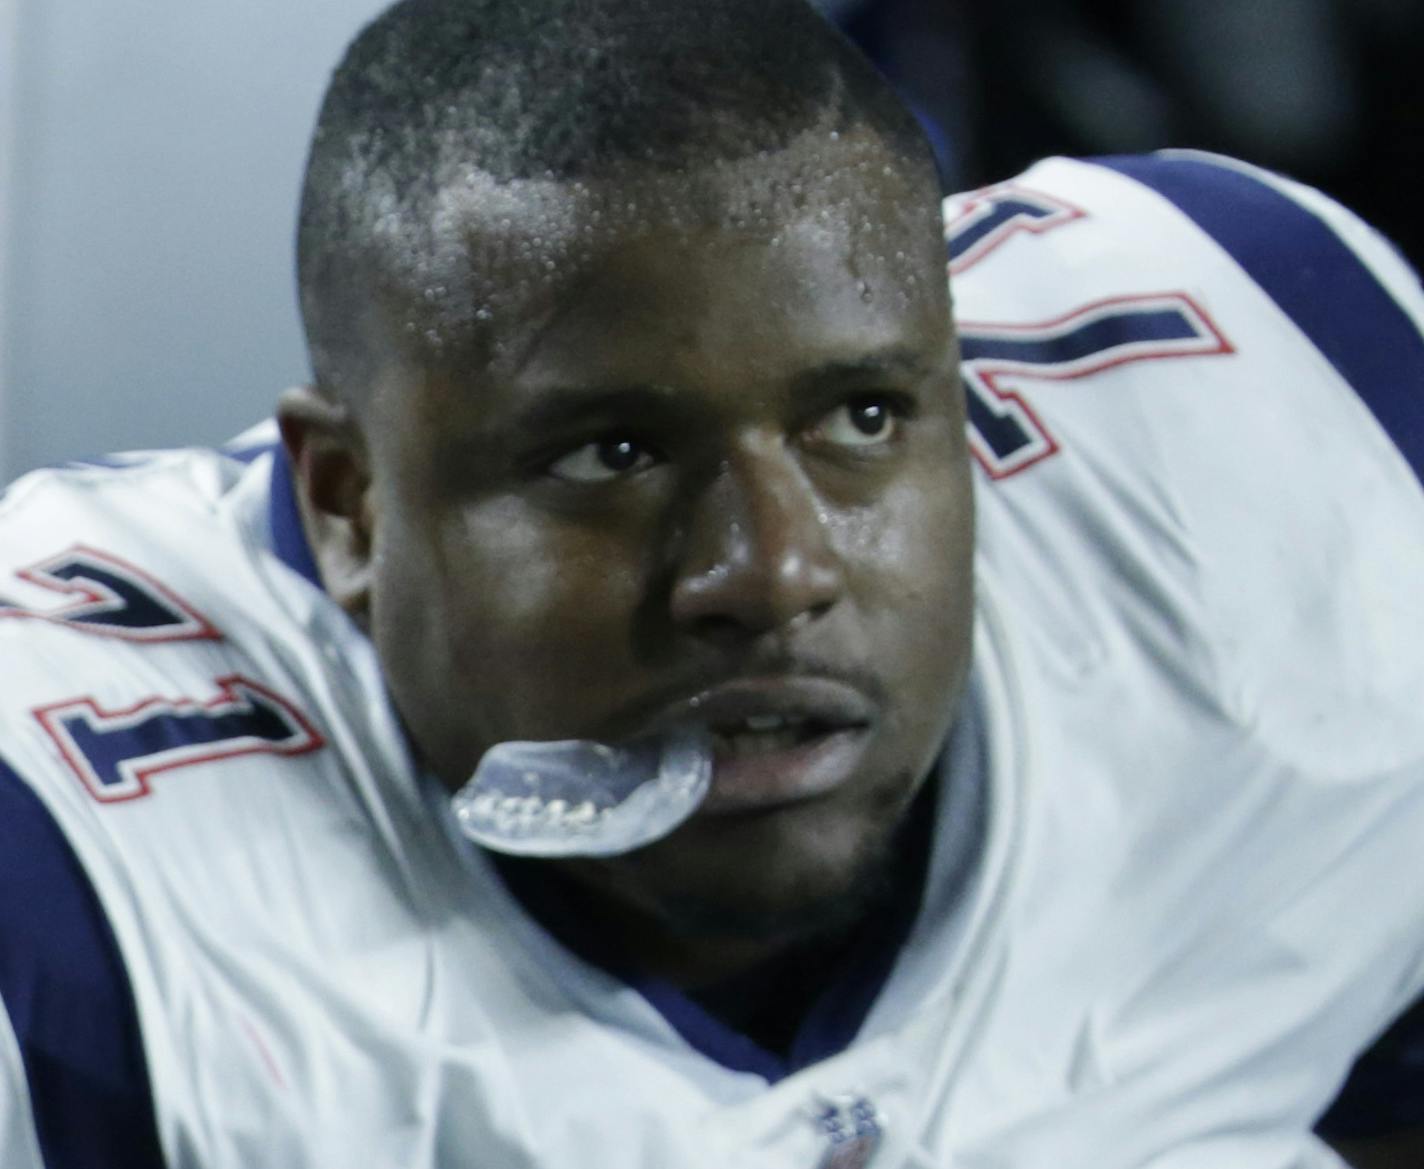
column 69, row 999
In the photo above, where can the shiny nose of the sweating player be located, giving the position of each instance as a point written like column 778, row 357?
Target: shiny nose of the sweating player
column 758, row 553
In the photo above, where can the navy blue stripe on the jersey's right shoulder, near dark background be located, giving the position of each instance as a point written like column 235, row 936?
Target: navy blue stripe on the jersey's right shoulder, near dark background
column 1312, row 276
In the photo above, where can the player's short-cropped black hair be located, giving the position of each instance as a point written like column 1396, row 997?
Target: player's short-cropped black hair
column 560, row 90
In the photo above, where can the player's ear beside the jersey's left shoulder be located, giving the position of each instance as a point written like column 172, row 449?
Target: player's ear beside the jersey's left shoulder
column 333, row 479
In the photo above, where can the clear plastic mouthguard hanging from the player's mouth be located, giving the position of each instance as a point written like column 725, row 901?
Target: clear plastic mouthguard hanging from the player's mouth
column 579, row 798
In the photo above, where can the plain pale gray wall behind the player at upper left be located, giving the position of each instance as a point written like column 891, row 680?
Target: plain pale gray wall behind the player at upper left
column 150, row 162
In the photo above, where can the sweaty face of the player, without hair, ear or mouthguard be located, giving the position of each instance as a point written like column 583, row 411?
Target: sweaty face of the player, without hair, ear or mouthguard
column 716, row 473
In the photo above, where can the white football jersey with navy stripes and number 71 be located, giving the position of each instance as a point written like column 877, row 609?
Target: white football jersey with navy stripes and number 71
column 239, row 932
